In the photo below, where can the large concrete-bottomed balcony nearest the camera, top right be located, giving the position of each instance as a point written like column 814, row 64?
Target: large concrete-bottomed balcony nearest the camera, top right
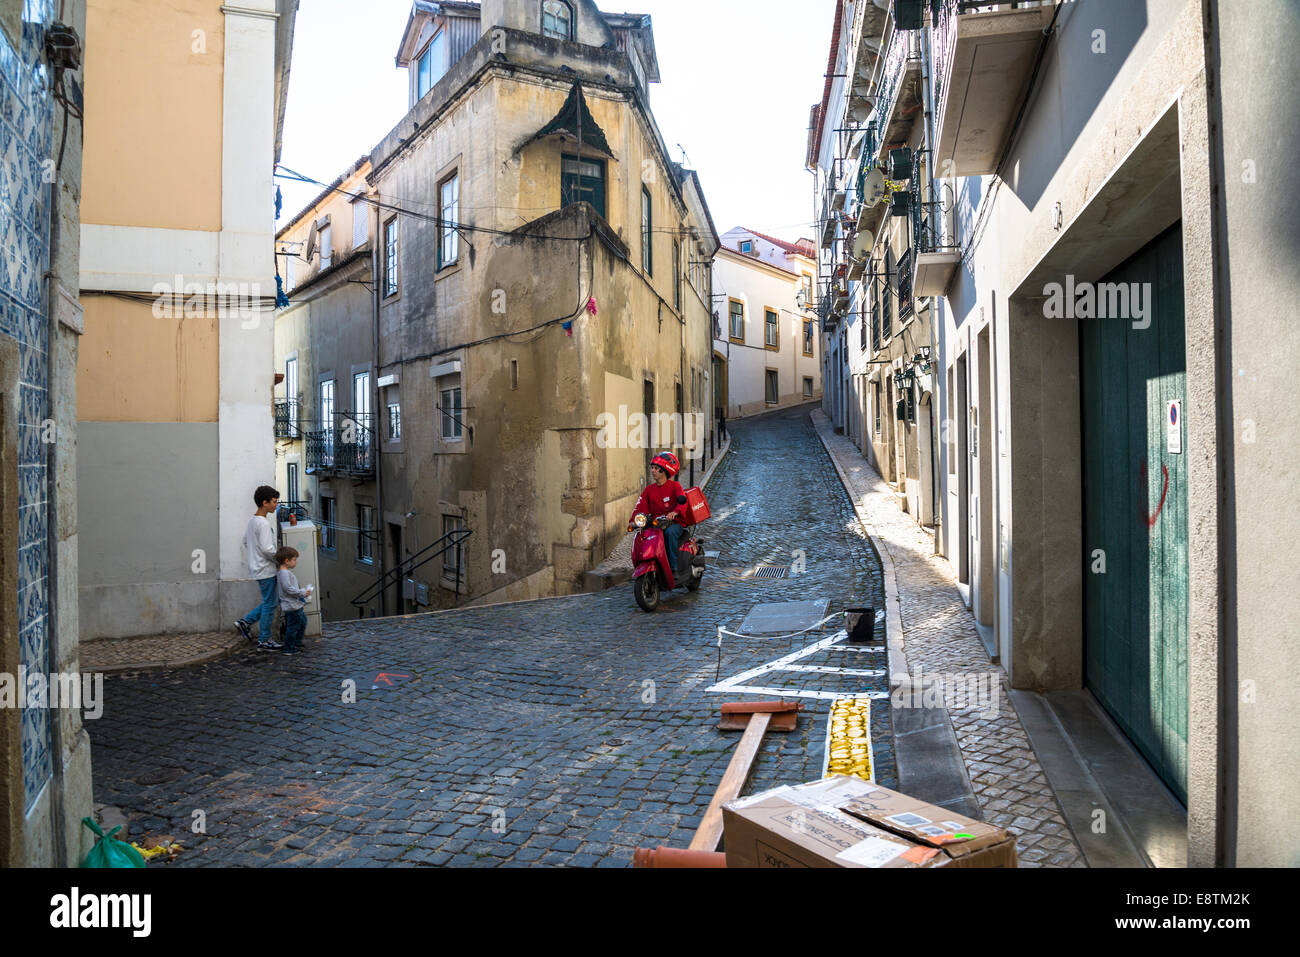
column 983, row 58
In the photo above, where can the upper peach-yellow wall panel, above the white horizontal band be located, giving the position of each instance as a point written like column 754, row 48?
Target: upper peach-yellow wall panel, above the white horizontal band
column 154, row 90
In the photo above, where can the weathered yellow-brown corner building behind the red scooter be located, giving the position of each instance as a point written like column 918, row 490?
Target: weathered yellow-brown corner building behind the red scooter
column 526, row 287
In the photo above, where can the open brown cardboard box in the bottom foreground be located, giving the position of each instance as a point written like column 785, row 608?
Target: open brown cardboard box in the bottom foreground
column 848, row 822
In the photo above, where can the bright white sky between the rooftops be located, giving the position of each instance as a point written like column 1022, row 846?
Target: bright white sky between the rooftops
column 739, row 79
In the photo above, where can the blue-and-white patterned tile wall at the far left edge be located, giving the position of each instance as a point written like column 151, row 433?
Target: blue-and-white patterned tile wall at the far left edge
column 27, row 161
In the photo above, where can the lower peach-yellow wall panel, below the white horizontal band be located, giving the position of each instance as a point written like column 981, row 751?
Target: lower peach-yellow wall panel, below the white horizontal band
column 136, row 367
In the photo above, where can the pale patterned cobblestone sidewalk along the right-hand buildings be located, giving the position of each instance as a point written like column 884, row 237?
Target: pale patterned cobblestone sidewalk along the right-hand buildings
column 941, row 639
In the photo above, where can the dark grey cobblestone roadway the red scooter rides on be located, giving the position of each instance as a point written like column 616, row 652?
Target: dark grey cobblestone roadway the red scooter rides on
column 564, row 731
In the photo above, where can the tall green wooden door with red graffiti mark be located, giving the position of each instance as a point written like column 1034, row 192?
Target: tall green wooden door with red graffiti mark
column 1136, row 510
